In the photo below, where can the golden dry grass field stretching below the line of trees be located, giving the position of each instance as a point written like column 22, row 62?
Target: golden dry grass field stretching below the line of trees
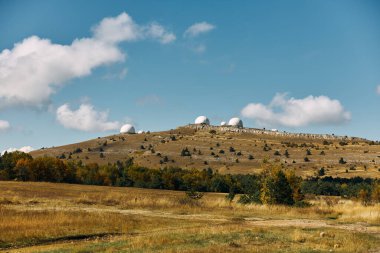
column 47, row 217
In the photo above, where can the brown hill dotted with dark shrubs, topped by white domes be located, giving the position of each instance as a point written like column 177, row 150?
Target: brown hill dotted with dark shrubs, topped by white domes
column 230, row 150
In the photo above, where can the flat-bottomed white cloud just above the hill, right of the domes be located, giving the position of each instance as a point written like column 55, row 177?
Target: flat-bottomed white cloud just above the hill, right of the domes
column 292, row 112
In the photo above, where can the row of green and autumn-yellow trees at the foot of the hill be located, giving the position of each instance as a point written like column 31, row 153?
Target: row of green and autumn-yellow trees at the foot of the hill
column 274, row 185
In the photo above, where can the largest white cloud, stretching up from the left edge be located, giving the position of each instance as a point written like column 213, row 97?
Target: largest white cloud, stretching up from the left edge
column 35, row 68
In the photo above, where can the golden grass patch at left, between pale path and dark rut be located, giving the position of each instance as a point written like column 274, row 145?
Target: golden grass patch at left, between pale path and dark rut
column 28, row 227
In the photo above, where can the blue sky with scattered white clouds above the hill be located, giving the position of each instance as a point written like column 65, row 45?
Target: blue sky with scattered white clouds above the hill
column 300, row 66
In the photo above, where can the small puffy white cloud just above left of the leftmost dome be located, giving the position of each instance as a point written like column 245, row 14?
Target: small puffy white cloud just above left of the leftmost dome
column 85, row 118
